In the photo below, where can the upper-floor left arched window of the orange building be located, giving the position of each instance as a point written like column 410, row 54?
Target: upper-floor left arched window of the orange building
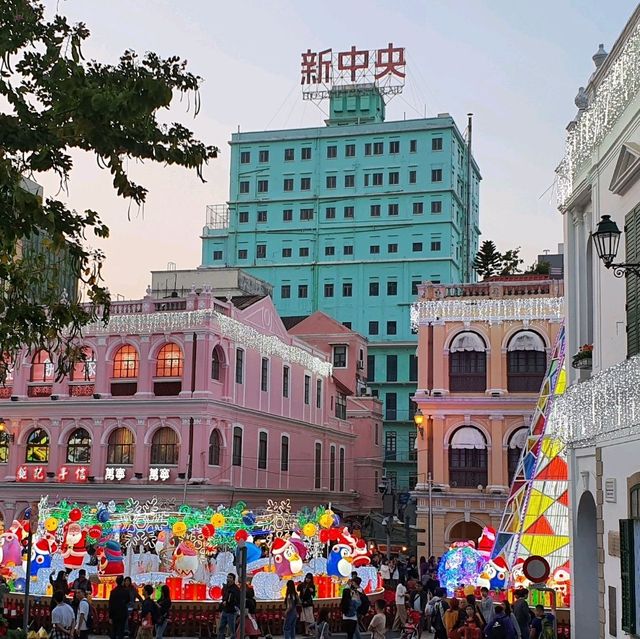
column 467, row 363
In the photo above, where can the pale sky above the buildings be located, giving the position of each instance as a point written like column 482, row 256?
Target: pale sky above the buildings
column 516, row 66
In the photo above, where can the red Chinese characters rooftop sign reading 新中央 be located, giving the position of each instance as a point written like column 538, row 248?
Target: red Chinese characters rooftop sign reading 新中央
column 323, row 70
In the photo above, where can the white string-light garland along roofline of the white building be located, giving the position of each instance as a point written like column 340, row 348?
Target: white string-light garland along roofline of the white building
column 612, row 96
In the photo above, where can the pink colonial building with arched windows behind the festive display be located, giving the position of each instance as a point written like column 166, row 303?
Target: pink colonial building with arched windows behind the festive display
column 193, row 394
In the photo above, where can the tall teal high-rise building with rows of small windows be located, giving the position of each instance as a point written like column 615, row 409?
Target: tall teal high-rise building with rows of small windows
column 349, row 218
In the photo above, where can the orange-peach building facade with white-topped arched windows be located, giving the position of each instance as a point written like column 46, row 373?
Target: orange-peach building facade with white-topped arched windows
column 482, row 355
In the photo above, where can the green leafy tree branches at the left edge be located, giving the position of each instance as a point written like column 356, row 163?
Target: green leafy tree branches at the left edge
column 53, row 103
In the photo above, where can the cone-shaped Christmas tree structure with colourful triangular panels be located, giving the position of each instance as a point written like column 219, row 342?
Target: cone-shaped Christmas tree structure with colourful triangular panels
column 536, row 517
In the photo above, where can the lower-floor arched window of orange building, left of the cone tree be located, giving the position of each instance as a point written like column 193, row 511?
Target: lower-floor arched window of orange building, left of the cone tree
column 467, row 458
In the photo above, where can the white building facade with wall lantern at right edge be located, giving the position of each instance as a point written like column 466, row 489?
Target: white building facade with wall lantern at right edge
column 598, row 414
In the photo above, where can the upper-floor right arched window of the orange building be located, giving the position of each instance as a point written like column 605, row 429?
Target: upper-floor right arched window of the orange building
column 526, row 362
